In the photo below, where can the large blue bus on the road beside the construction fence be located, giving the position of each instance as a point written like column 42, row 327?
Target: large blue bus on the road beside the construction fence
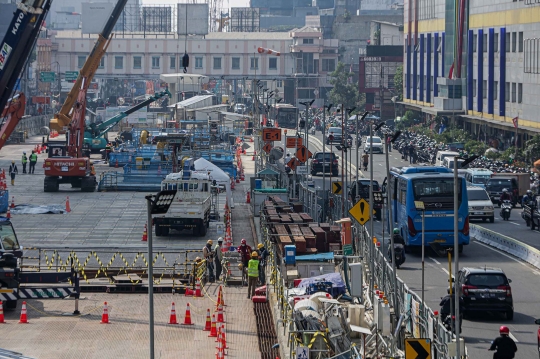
column 435, row 187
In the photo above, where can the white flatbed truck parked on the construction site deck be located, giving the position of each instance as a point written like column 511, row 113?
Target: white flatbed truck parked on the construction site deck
column 191, row 206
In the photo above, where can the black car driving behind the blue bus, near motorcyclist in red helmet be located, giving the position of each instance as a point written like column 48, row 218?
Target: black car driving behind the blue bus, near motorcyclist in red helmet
column 486, row 290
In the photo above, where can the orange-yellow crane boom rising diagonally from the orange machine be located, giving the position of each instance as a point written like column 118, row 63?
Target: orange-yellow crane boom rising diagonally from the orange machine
column 62, row 119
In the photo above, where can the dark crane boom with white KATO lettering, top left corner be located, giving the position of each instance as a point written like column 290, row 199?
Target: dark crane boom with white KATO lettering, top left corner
column 18, row 42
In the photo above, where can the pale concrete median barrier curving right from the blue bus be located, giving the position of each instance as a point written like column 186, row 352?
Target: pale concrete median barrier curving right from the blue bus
column 506, row 244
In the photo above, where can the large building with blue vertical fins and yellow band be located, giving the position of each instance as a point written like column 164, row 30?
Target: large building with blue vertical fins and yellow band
column 480, row 72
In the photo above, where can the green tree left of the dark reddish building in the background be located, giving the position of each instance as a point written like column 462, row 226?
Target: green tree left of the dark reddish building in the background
column 343, row 92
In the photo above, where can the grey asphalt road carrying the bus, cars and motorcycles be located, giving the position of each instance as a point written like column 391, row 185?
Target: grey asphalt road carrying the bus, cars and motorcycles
column 479, row 330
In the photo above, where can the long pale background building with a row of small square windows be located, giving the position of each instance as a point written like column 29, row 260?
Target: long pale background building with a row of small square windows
column 220, row 56
